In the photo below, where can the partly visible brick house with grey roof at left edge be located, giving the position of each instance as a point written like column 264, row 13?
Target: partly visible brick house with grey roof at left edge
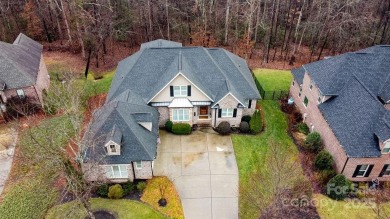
column 23, row 73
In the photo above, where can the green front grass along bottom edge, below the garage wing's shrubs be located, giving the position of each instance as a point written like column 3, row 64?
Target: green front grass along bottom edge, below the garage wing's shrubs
column 124, row 209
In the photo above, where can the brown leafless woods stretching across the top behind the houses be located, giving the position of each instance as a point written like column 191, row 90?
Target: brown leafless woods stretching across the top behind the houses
column 266, row 30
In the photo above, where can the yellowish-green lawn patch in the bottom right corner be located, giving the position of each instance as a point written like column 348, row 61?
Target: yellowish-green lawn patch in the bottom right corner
column 331, row 209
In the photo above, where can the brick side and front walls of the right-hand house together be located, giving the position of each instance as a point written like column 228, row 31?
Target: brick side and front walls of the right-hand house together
column 316, row 122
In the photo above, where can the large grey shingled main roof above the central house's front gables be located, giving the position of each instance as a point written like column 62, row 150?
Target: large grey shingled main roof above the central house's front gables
column 215, row 71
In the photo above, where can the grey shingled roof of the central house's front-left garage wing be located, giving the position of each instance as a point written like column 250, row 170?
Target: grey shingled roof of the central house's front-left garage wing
column 137, row 143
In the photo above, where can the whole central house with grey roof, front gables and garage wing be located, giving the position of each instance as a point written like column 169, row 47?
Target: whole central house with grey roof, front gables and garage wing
column 164, row 81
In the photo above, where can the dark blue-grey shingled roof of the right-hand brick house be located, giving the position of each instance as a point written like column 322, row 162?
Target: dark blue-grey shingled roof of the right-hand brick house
column 355, row 113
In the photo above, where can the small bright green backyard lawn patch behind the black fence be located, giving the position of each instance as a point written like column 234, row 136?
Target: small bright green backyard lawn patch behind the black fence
column 273, row 80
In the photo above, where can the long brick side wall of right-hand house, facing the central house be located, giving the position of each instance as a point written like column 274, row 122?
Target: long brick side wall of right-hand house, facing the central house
column 315, row 118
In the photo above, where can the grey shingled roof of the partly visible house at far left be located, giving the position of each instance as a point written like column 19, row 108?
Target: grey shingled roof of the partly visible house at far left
column 19, row 62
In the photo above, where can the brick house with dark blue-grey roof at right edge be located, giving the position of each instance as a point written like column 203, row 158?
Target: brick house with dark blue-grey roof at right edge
column 346, row 99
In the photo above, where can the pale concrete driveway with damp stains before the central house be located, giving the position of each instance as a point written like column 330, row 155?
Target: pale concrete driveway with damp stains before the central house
column 203, row 168
